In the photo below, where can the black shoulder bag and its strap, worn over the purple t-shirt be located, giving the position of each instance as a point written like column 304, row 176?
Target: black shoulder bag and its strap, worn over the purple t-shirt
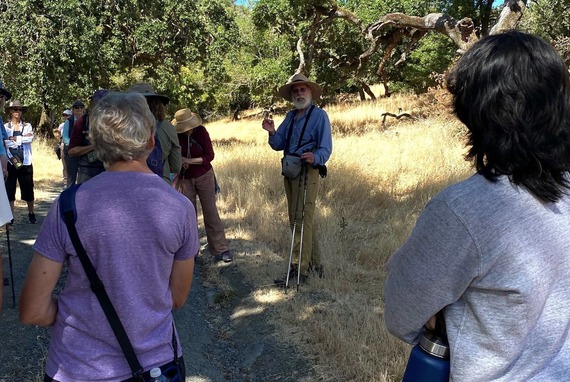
column 173, row 370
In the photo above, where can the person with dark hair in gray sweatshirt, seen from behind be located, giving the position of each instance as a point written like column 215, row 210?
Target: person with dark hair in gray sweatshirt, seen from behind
column 492, row 251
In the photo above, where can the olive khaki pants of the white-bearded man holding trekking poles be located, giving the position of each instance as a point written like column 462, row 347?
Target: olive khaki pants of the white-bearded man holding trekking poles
column 294, row 189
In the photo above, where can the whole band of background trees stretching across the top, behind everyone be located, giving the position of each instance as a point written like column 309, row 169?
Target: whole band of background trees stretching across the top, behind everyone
column 218, row 58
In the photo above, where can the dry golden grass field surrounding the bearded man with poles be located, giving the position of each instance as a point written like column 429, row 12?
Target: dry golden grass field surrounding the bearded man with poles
column 379, row 180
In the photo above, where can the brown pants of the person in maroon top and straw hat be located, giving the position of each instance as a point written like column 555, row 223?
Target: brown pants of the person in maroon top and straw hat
column 204, row 188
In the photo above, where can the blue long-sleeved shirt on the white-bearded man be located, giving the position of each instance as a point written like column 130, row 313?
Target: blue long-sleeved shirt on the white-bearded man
column 317, row 137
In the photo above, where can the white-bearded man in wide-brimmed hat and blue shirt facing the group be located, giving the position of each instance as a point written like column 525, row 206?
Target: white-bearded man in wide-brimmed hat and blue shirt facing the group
column 306, row 140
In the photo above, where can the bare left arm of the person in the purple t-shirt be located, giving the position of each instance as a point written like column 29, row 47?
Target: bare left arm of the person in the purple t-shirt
column 37, row 306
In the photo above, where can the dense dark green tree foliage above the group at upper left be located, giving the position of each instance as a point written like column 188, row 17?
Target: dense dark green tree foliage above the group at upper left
column 58, row 51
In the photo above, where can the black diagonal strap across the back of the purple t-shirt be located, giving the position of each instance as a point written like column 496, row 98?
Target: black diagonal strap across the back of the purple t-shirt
column 68, row 213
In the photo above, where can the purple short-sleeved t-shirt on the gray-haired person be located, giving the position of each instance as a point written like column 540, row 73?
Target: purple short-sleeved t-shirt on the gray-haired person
column 133, row 226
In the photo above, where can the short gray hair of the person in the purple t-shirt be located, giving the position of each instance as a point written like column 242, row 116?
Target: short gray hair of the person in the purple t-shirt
column 121, row 125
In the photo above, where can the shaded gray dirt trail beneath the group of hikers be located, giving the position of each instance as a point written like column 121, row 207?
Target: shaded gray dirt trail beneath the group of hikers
column 224, row 339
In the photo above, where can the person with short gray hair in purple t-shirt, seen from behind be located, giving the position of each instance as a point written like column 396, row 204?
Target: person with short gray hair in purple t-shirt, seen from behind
column 146, row 268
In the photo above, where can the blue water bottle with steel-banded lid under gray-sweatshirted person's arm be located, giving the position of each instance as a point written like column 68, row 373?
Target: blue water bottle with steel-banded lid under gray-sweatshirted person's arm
column 429, row 359
